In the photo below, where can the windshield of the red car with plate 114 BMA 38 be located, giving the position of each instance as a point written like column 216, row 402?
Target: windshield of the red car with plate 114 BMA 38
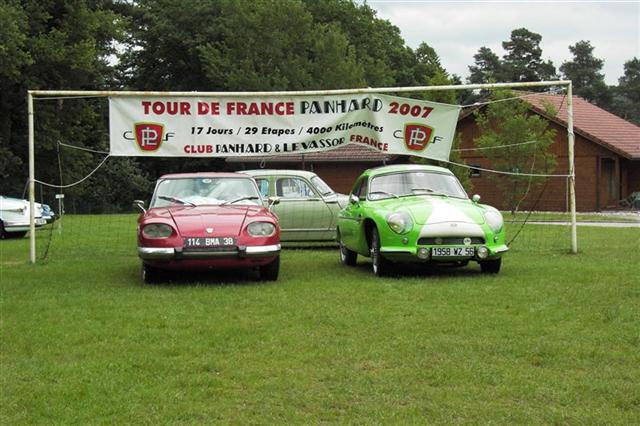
column 206, row 191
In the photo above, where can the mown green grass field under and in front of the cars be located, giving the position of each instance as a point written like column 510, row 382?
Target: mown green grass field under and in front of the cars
column 554, row 338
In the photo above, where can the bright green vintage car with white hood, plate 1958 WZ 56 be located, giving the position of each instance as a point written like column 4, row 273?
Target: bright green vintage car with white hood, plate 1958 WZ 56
column 418, row 214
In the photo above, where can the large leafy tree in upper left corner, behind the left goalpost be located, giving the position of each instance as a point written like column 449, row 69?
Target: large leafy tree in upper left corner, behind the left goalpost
column 52, row 45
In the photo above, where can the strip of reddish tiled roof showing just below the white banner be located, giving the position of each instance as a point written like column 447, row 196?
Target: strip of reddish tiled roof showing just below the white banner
column 350, row 152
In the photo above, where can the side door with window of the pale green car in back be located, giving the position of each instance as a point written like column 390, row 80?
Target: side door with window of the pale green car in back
column 303, row 214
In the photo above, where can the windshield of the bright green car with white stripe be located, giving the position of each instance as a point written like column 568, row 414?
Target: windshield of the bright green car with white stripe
column 415, row 183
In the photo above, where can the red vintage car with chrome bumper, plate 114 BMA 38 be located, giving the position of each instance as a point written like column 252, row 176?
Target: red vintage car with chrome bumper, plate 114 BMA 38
column 207, row 221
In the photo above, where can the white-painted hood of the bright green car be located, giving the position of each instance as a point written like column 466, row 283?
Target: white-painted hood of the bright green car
column 436, row 209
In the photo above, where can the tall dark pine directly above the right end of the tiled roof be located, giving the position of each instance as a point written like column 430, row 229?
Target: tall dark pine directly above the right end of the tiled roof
column 584, row 72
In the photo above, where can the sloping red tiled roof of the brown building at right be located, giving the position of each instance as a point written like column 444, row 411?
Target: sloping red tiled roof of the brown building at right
column 592, row 122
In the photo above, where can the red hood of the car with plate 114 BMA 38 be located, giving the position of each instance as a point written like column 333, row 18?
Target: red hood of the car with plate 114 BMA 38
column 219, row 220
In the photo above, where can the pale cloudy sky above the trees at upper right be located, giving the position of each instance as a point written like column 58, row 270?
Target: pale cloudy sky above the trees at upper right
column 457, row 29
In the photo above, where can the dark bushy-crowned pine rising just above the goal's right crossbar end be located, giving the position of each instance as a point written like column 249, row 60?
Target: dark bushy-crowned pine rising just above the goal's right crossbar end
column 523, row 60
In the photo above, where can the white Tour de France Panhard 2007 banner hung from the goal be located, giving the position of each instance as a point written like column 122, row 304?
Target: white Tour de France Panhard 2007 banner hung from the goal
column 251, row 126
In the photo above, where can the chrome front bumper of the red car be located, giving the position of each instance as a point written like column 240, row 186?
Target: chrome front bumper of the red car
column 176, row 253
